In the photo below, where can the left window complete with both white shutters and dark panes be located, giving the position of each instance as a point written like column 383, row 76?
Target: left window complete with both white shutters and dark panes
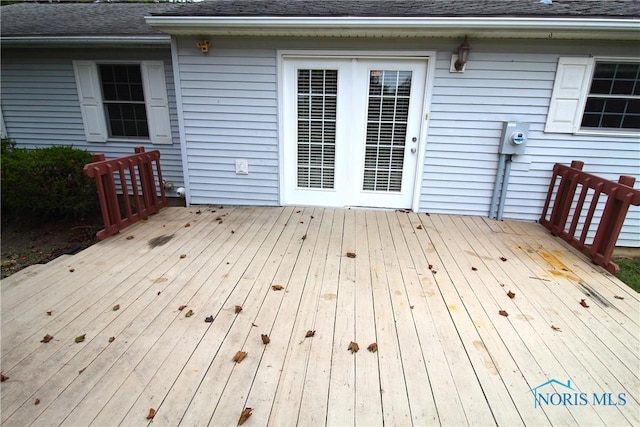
column 123, row 101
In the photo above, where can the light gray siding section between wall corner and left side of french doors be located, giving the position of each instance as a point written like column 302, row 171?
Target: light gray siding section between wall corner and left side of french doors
column 229, row 101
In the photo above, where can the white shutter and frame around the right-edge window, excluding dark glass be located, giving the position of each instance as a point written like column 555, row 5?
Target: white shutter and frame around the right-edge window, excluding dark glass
column 579, row 100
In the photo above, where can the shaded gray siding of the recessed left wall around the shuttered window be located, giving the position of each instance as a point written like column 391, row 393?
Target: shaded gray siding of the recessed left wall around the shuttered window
column 40, row 105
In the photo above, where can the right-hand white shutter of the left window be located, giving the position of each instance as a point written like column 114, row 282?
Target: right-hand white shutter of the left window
column 155, row 95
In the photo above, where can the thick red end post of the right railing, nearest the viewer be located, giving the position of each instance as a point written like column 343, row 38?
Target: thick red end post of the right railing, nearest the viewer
column 613, row 216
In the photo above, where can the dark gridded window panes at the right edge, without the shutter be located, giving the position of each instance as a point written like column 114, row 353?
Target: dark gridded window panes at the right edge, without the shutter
column 614, row 99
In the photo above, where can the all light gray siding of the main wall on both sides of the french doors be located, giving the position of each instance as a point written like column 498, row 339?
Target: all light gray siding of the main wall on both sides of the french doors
column 230, row 112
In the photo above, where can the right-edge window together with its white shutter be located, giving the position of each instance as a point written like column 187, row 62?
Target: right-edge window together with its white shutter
column 595, row 95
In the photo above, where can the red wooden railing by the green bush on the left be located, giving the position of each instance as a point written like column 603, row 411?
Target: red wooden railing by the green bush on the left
column 139, row 172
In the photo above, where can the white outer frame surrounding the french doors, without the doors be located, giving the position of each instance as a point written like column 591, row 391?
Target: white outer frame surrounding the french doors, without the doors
column 428, row 56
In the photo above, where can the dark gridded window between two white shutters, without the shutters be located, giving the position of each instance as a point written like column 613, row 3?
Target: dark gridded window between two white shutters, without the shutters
column 123, row 99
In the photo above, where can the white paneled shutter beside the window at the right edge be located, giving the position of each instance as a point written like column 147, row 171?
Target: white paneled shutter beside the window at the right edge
column 569, row 92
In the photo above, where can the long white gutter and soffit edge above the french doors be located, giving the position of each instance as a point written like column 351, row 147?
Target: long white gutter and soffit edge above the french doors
column 587, row 28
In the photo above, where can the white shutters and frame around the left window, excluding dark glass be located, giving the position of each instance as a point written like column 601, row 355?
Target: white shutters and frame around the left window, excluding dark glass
column 92, row 105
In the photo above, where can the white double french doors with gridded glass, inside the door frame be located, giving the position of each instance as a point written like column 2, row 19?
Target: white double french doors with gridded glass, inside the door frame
column 351, row 130
